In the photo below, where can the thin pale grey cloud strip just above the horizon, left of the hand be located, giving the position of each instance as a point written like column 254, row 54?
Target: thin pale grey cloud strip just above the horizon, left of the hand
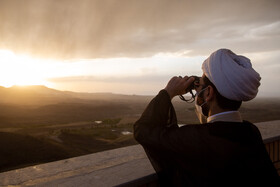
column 148, row 85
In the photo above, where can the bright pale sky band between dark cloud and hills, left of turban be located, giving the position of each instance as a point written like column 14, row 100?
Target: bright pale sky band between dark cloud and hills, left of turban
column 96, row 75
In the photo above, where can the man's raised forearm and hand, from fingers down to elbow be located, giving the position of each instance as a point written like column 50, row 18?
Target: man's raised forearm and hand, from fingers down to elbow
column 160, row 116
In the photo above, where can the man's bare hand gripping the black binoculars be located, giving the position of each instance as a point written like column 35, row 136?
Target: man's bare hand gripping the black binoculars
column 178, row 85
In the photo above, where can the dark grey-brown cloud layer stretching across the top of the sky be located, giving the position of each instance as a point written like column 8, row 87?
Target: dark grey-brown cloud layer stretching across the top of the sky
column 113, row 28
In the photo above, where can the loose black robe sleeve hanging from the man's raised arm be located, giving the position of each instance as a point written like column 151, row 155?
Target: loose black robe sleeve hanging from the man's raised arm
column 155, row 120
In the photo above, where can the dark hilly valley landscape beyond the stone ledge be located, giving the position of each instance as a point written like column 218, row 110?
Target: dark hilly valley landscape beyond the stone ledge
column 38, row 124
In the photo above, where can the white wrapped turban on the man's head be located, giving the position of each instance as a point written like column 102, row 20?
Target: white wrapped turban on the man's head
column 233, row 75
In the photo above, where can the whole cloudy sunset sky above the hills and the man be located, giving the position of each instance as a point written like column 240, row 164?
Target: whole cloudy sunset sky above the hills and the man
column 132, row 46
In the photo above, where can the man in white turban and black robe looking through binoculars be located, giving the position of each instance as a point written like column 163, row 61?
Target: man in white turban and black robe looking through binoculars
column 225, row 151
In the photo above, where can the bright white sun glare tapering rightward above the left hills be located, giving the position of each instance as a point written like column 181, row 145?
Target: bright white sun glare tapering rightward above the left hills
column 24, row 70
